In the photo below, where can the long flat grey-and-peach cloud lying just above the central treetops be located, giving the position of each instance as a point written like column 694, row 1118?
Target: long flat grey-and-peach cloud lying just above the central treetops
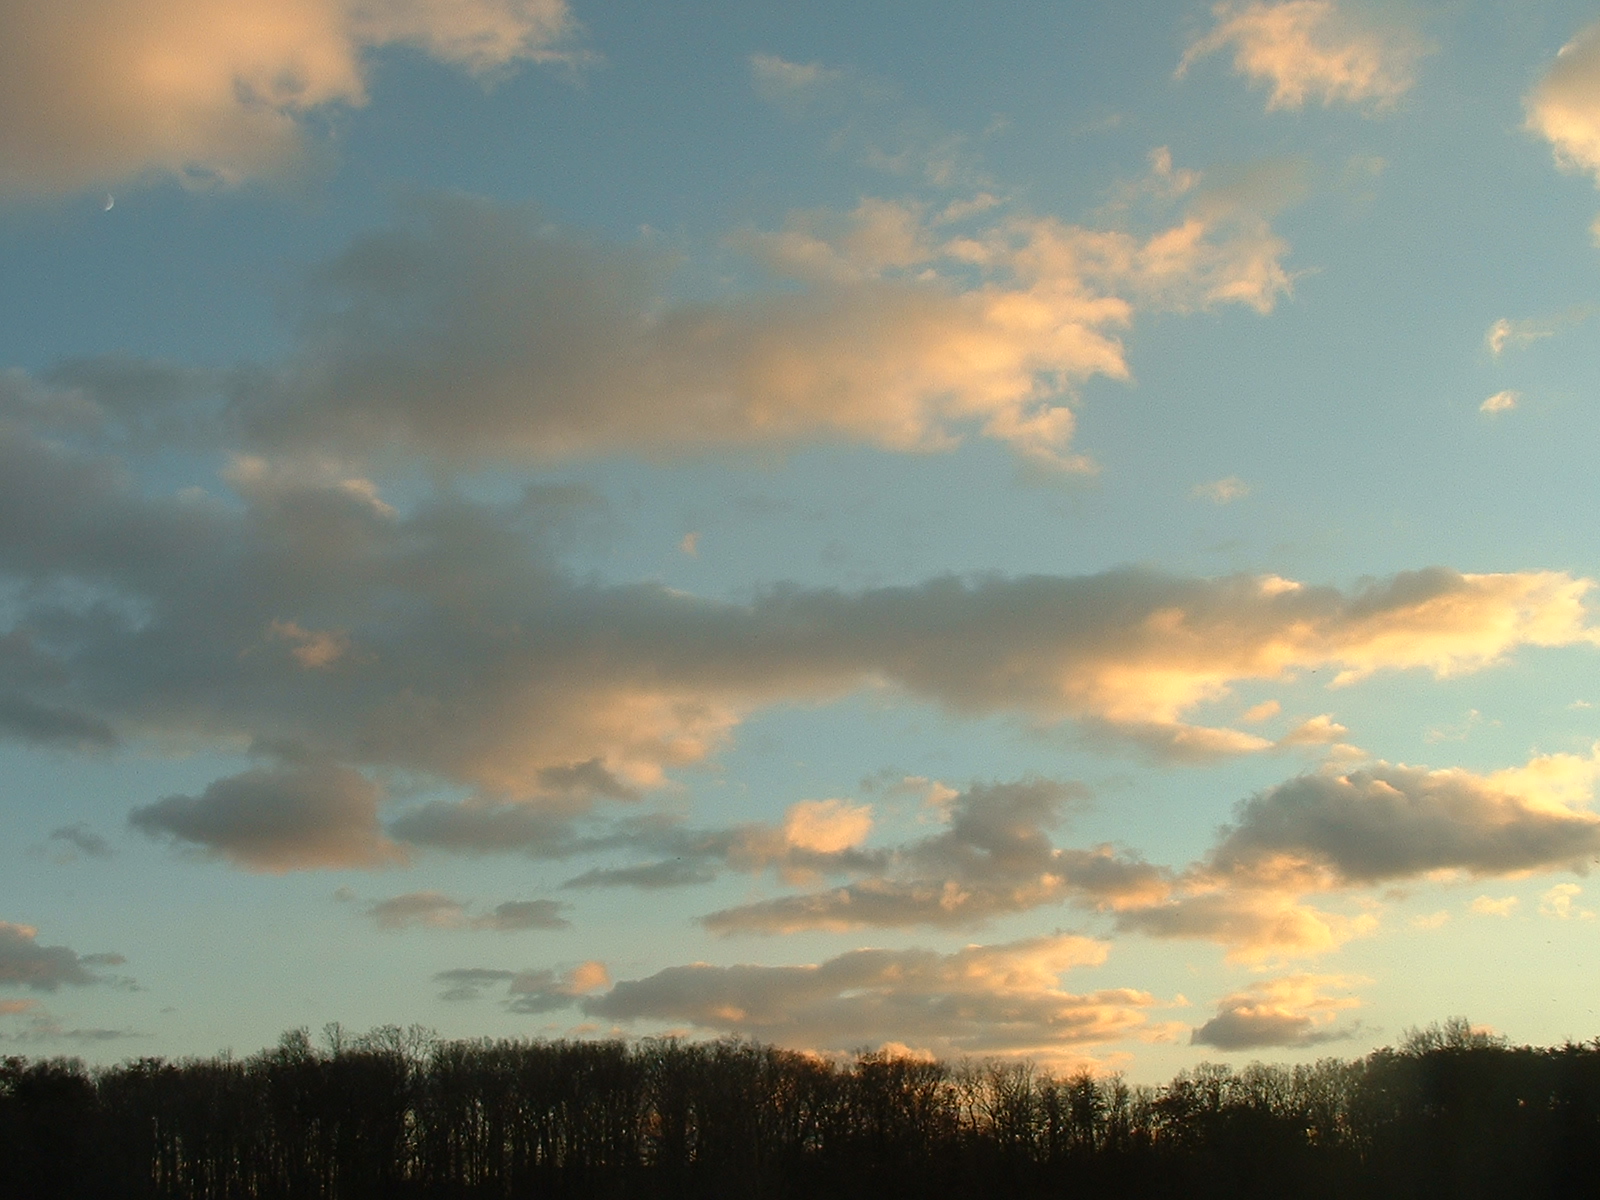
column 978, row 1001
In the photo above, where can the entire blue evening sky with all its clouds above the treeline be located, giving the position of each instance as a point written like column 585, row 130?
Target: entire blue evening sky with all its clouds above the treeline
column 1062, row 532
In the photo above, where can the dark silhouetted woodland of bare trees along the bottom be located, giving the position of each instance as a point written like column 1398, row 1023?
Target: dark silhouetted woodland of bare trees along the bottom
column 401, row 1114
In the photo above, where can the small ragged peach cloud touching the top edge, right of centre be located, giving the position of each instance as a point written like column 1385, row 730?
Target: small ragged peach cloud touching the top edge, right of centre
column 1311, row 50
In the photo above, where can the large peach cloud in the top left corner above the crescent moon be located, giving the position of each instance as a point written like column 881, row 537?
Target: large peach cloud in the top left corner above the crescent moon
column 106, row 90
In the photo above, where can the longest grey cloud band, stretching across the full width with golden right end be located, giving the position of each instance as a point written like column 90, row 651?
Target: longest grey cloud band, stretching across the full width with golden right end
column 470, row 658
